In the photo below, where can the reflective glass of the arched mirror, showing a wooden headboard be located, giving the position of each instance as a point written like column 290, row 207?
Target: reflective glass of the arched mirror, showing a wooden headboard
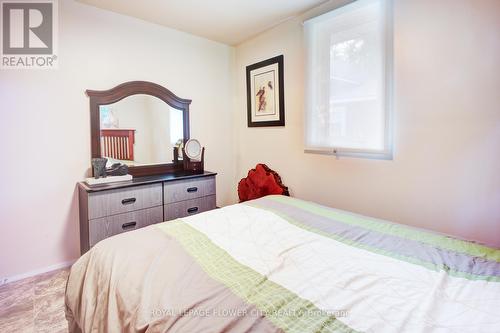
column 140, row 130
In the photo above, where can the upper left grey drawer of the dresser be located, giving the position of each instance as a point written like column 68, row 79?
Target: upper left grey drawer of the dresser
column 119, row 201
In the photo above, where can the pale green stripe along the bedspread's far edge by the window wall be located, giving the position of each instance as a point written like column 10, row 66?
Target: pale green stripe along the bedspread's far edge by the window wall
column 402, row 231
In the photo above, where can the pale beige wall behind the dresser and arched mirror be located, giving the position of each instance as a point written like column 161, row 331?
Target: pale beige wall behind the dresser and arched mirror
column 46, row 112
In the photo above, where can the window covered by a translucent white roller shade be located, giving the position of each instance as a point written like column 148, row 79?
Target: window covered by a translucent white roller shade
column 349, row 80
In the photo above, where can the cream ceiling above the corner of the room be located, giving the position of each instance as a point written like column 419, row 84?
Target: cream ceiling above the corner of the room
column 226, row 21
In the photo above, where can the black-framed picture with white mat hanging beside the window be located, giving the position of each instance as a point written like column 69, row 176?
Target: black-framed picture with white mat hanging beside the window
column 265, row 93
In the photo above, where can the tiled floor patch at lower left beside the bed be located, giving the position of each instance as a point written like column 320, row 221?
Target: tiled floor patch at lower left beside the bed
column 34, row 304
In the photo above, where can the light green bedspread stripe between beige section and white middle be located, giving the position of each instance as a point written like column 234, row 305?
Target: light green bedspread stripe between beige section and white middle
column 282, row 307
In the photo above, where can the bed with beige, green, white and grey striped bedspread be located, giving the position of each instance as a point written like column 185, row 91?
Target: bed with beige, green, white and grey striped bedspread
column 280, row 264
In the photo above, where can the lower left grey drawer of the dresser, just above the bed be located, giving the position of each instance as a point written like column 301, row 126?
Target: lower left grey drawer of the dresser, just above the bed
column 105, row 227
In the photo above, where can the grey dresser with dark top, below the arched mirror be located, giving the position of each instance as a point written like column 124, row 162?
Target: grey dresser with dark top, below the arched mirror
column 113, row 208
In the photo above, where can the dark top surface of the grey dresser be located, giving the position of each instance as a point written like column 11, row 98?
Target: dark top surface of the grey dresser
column 171, row 176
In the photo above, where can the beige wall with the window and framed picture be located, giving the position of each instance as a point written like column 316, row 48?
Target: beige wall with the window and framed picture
column 445, row 173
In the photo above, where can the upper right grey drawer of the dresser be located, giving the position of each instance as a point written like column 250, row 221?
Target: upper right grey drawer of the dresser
column 181, row 190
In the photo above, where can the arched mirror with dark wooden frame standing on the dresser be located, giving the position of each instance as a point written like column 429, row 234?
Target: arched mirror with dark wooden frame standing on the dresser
column 151, row 124
